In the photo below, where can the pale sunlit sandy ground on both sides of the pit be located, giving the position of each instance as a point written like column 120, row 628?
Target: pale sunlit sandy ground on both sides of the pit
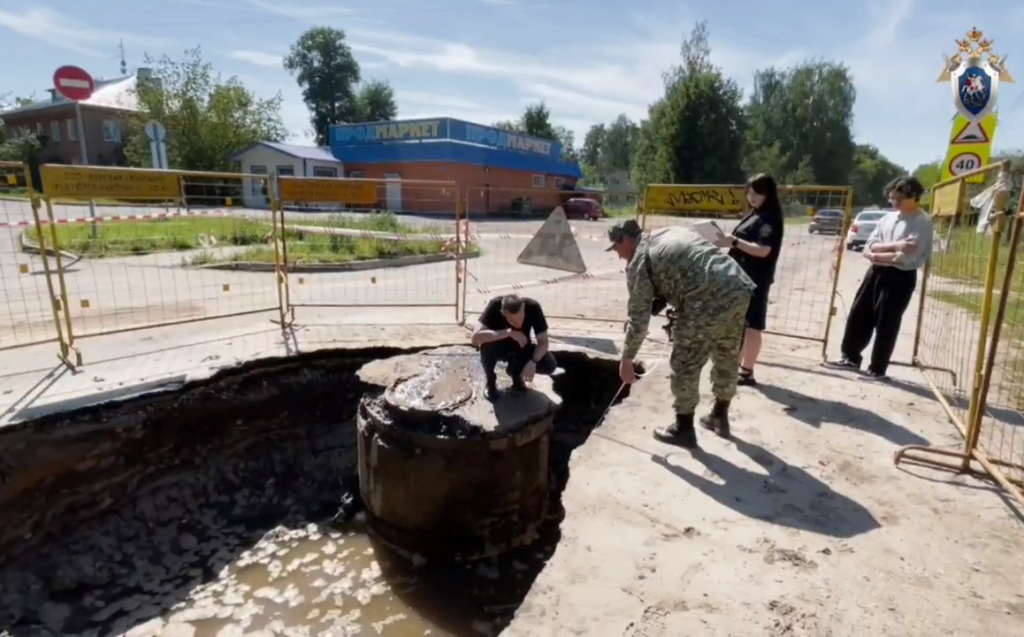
column 801, row 526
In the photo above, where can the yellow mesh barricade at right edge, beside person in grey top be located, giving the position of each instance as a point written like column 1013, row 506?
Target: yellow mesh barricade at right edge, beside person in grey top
column 969, row 341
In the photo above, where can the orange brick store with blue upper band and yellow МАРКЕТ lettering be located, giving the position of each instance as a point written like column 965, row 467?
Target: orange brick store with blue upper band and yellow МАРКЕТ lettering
column 496, row 172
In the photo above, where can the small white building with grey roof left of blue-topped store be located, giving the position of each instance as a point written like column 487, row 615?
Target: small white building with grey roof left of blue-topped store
column 272, row 158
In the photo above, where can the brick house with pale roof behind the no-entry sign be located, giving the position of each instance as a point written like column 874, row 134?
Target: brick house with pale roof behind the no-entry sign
column 103, row 120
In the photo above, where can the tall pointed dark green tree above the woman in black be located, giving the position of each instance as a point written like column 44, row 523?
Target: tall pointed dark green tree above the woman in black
column 695, row 134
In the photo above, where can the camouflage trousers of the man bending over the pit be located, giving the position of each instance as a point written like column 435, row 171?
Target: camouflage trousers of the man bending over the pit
column 711, row 329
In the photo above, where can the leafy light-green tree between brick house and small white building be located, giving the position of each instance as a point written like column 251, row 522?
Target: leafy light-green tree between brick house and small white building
column 207, row 118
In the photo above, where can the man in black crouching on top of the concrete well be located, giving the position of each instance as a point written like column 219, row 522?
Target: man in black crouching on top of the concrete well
column 503, row 333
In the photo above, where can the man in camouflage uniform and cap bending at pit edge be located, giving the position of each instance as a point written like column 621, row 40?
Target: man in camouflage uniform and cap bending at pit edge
column 710, row 293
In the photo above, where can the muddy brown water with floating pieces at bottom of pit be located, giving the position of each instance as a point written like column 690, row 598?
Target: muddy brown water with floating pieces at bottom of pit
column 326, row 581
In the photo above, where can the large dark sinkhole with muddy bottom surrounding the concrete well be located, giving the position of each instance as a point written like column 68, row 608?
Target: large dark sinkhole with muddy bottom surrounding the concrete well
column 214, row 511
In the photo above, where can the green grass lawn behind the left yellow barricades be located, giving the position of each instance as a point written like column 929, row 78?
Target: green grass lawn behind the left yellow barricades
column 140, row 238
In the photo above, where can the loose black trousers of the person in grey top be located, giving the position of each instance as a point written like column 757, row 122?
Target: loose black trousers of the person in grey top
column 879, row 307
